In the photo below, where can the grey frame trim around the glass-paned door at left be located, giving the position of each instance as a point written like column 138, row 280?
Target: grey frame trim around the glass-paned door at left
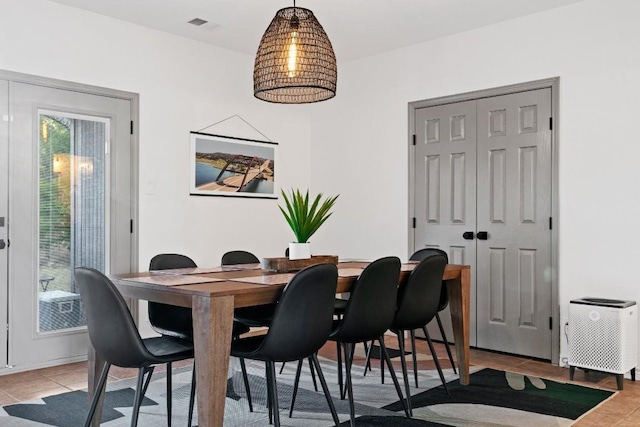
column 134, row 99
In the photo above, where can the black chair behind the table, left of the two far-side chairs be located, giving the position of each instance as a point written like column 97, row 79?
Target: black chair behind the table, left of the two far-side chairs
column 174, row 321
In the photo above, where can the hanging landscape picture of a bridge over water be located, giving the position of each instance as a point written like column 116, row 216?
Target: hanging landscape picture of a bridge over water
column 230, row 166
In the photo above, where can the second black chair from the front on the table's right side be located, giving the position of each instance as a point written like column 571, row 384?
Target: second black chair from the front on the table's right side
column 370, row 310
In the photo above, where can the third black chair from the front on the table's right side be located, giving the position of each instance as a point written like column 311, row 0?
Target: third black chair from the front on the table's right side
column 418, row 298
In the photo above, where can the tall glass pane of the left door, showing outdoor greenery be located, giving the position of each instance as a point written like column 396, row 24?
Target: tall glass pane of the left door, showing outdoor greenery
column 72, row 205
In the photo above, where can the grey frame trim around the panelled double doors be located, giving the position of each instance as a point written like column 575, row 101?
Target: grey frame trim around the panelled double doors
column 552, row 83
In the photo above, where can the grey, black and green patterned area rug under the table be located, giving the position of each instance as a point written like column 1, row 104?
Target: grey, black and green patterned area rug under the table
column 494, row 398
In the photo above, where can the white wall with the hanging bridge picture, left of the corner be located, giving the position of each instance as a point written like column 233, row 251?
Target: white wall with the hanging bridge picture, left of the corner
column 183, row 85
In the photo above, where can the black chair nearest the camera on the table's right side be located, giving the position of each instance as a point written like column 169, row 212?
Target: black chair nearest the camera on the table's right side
column 300, row 325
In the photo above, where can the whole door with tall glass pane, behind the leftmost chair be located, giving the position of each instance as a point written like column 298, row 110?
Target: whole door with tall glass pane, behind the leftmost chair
column 67, row 208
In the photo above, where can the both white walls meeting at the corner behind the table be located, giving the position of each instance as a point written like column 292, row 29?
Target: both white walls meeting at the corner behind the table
column 358, row 141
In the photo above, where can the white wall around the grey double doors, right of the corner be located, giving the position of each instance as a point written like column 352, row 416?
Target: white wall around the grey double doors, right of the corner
column 359, row 144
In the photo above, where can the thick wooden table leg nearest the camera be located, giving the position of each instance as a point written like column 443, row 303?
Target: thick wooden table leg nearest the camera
column 212, row 328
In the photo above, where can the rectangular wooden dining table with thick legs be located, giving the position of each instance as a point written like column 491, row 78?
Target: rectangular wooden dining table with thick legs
column 213, row 294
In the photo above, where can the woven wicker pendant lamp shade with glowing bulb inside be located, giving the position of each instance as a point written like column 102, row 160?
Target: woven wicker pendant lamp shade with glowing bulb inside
column 295, row 63
